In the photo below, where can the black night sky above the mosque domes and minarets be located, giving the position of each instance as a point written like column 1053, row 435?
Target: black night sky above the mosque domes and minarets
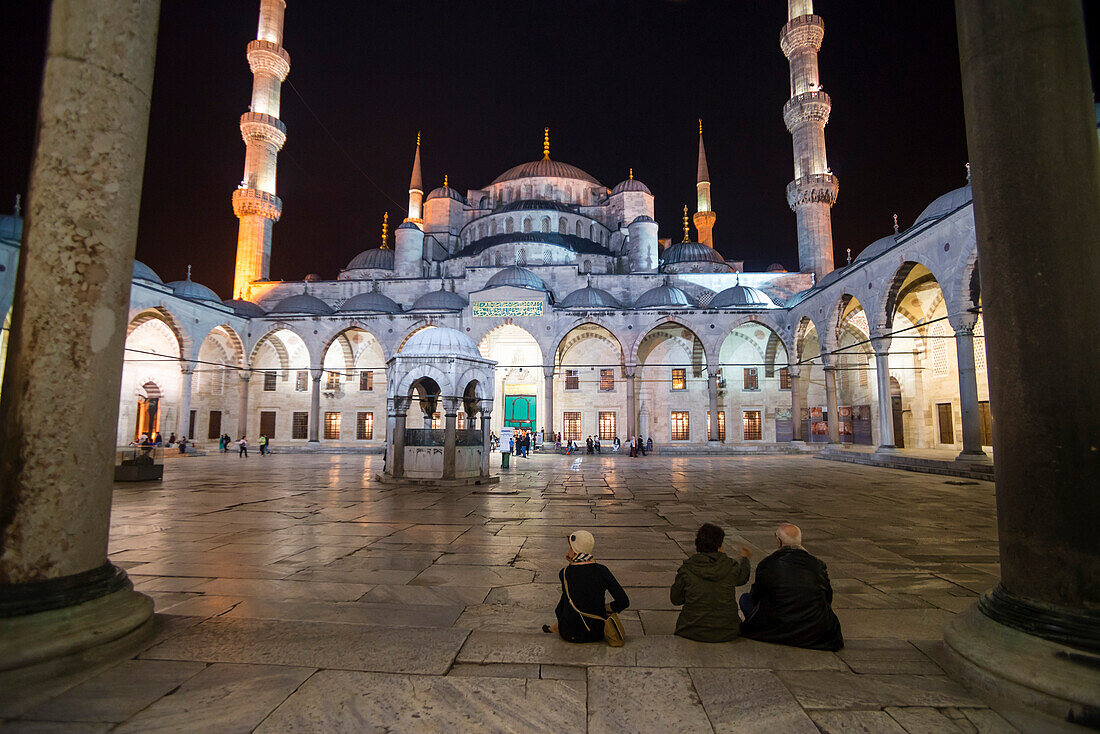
column 621, row 84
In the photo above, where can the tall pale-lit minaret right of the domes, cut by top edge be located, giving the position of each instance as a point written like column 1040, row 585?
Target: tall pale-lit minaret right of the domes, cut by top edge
column 813, row 192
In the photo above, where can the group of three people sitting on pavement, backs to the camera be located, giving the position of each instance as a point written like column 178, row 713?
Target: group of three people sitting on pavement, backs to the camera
column 789, row 604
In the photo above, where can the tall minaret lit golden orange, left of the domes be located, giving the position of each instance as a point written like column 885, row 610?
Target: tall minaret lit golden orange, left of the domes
column 255, row 201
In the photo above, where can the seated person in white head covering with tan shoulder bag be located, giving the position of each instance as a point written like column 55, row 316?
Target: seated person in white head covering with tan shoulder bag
column 585, row 586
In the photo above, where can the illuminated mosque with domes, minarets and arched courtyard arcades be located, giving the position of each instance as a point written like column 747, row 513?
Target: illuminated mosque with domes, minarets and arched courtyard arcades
column 597, row 325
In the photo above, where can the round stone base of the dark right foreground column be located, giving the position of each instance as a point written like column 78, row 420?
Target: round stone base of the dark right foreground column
column 1021, row 670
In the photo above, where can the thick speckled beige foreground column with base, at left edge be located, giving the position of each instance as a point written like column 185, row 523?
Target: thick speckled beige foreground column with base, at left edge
column 69, row 334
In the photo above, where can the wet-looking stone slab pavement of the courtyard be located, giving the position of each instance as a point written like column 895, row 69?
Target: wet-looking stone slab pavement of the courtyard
column 295, row 594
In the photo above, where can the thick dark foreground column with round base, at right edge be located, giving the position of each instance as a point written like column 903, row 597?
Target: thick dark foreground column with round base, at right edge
column 1031, row 132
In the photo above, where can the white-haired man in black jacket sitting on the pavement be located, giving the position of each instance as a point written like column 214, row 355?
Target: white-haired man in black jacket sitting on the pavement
column 790, row 602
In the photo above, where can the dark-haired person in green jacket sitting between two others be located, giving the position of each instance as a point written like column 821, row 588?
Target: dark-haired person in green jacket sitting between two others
column 707, row 586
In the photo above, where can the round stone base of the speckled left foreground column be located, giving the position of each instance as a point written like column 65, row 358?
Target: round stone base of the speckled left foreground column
column 34, row 639
